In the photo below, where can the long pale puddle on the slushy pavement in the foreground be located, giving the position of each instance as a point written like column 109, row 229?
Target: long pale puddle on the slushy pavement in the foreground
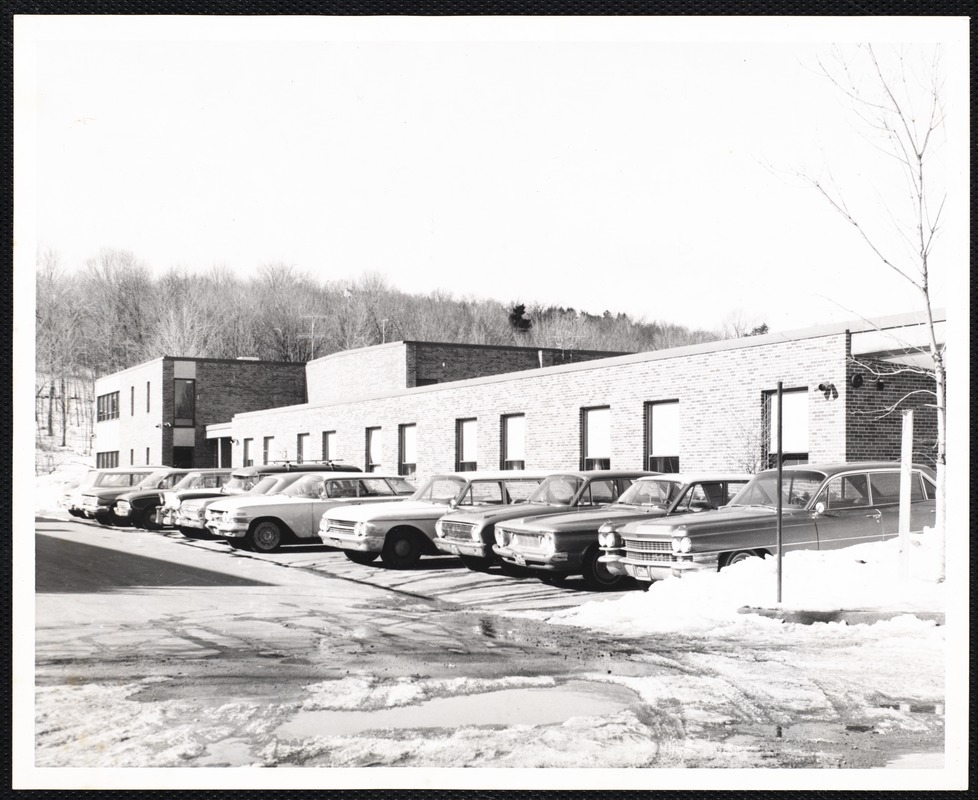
column 536, row 706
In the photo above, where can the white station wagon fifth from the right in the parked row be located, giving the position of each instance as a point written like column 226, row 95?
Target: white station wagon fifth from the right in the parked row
column 293, row 514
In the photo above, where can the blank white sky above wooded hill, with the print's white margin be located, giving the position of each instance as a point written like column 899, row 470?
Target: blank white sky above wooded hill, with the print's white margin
column 644, row 166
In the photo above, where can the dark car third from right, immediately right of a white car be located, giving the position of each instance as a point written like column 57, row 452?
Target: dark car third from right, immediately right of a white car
column 471, row 534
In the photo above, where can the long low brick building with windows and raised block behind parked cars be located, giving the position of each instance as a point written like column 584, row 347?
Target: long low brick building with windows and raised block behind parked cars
column 419, row 408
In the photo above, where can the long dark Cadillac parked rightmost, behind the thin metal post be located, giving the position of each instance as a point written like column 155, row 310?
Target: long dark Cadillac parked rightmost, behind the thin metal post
column 823, row 507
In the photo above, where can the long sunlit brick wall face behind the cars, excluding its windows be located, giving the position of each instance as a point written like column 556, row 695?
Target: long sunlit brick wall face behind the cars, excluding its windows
column 719, row 389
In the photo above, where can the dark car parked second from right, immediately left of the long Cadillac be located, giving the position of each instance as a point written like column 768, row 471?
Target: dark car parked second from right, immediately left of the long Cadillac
column 556, row 546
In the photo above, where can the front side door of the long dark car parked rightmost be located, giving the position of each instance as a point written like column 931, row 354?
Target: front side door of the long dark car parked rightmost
column 849, row 517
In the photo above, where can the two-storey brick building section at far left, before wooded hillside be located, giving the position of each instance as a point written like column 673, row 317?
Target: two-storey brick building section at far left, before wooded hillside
column 158, row 412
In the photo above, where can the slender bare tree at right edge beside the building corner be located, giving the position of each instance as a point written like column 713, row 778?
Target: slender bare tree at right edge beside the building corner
column 900, row 108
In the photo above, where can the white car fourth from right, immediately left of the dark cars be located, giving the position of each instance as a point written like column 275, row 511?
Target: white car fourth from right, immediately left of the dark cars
column 400, row 534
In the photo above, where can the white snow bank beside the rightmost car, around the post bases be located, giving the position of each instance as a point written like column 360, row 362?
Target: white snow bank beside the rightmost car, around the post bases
column 863, row 577
